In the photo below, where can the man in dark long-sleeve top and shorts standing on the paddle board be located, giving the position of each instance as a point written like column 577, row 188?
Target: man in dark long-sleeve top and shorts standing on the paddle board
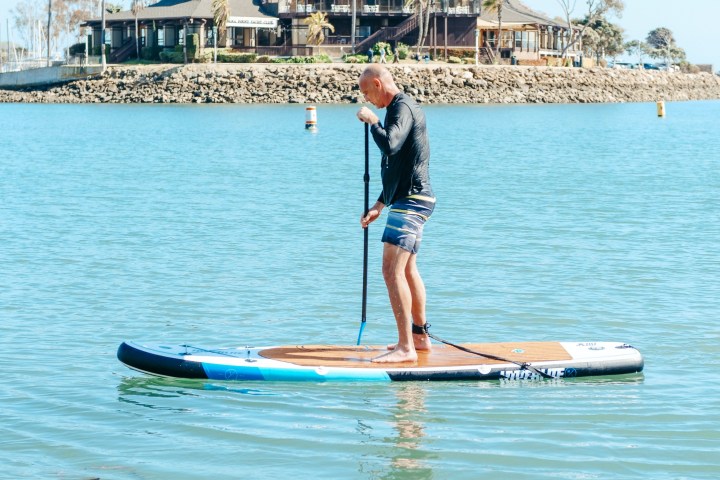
column 403, row 142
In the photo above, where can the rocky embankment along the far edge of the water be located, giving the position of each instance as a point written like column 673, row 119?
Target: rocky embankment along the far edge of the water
column 337, row 83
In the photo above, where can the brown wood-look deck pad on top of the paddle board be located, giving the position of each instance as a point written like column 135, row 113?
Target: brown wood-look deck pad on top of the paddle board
column 441, row 355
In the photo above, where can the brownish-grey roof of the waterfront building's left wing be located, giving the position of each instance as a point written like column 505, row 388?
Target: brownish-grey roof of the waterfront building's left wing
column 179, row 9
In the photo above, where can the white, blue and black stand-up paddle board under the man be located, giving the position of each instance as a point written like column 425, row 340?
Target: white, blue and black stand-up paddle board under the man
column 319, row 363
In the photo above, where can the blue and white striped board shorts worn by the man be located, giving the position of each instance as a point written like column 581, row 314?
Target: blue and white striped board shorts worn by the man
column 406, row 220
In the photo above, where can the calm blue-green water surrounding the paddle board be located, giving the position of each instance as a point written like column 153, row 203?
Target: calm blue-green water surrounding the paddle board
column 231, row 225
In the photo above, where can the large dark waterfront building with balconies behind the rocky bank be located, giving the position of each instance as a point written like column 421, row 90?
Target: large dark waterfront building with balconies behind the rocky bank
column 277, row 27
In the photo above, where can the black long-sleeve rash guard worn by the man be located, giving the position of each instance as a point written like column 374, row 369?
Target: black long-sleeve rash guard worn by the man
column 404, row 144
